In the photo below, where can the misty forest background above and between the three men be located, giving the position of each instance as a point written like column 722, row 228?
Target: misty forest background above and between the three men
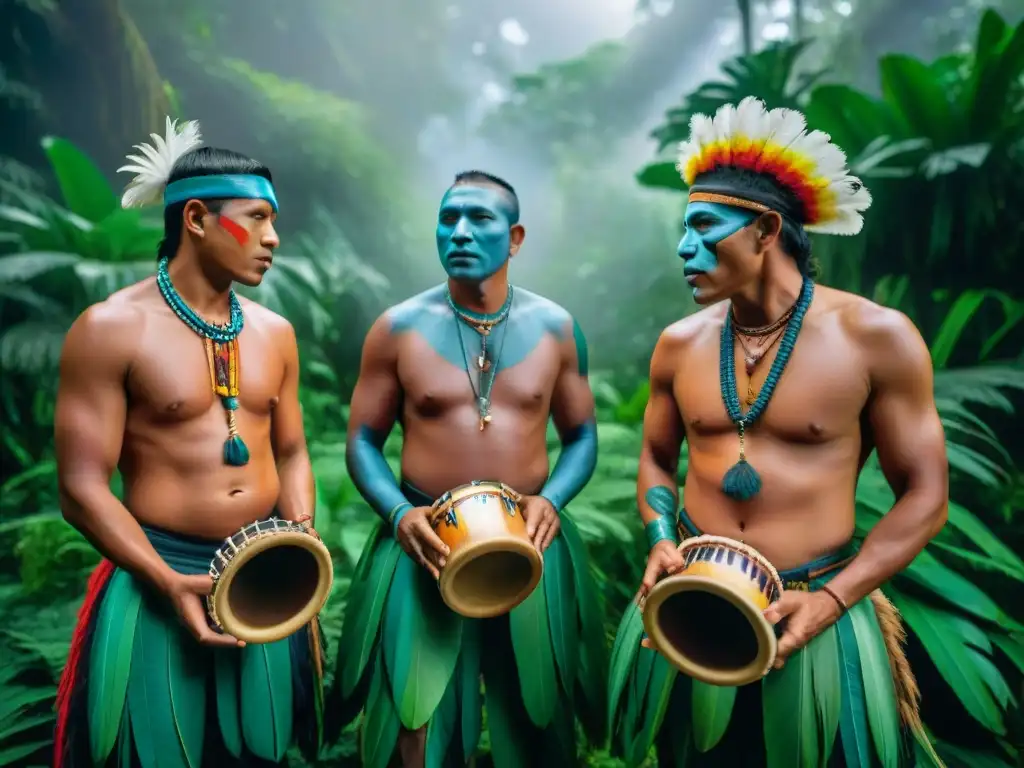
column 365, row 111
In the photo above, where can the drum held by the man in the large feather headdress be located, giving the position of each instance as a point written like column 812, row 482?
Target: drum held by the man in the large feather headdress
column 707, row 620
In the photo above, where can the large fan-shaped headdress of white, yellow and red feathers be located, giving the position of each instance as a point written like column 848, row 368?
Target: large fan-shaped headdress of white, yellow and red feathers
column 816, row 189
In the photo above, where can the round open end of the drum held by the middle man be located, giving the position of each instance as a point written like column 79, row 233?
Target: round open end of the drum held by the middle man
column 491, row 578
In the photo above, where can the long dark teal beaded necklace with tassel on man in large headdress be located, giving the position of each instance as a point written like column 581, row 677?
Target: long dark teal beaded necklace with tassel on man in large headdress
column 743, row 482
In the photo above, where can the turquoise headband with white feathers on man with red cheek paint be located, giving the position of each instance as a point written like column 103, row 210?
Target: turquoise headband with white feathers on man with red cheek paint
column 153, row 170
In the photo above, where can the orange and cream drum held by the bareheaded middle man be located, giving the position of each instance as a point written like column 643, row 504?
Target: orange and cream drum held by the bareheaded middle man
column 493, row 566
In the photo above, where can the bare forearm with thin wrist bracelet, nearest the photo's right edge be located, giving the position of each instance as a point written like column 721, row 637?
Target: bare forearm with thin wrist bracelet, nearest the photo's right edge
column 892, row 545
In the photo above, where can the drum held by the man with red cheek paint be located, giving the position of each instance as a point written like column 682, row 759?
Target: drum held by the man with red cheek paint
column 270, row 580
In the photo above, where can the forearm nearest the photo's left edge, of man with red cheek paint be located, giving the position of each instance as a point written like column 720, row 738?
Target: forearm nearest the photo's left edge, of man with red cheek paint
column 100, row 517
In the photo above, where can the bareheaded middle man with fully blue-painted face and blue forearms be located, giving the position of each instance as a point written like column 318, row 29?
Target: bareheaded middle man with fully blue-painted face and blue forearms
column 473, row 370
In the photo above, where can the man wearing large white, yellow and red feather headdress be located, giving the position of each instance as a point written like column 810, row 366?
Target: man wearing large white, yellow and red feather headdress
column 783, row 390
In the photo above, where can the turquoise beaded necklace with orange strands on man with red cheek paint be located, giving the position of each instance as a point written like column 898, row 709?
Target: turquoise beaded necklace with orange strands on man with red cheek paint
column 222, row 344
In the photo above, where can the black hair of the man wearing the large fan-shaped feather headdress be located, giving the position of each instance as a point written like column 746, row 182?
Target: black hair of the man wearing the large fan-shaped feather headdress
column 762, row 188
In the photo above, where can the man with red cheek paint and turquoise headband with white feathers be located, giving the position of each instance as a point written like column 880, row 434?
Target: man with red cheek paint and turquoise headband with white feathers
column 152, row 382
